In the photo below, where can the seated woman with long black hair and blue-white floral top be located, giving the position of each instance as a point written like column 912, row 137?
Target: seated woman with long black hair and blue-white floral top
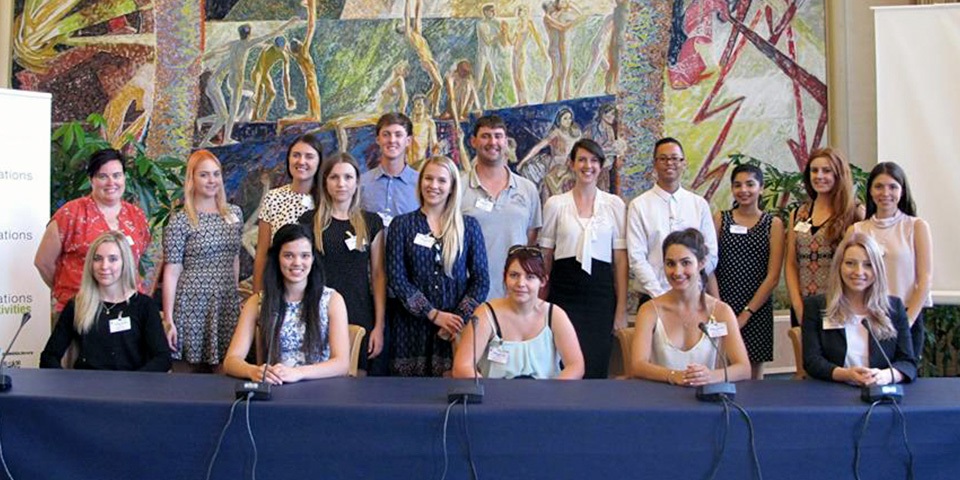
column 302, row 323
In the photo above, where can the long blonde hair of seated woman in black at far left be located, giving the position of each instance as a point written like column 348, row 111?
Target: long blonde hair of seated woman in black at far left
column 87, row 303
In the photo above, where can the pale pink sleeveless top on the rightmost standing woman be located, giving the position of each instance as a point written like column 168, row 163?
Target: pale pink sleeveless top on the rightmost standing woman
column 896, row 240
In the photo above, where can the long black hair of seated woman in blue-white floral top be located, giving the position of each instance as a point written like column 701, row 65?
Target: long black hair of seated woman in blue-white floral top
column 273, row 304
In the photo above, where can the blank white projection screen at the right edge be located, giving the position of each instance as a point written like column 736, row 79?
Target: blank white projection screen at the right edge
column 918, row 122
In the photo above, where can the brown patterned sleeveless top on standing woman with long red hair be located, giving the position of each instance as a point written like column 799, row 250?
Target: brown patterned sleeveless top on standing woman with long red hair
column 814, row 255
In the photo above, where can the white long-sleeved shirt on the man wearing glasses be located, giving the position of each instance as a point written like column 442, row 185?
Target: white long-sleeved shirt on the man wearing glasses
column 651, row 217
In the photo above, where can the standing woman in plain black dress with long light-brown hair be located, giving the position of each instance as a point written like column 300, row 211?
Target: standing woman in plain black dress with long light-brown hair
column 351, row 245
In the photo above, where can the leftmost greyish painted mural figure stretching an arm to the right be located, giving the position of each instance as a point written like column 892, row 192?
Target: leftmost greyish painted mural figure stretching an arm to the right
column 227, row 66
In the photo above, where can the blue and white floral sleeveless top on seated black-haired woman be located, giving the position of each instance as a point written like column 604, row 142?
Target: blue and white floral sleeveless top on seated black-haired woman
column 292, row 333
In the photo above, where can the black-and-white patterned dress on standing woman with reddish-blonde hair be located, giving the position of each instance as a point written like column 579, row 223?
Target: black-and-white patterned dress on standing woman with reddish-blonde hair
column 206, row 305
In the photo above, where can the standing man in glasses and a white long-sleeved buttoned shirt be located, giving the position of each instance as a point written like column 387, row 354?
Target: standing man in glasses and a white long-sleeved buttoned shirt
column 665, row 208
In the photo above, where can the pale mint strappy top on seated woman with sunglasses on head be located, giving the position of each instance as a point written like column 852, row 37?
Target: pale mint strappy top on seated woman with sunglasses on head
column 536, row 358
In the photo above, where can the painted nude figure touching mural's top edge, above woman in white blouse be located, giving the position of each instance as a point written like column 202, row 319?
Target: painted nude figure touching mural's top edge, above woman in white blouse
column 560, row 16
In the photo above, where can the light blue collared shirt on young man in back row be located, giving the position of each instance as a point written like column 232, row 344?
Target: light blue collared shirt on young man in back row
column 389, row 196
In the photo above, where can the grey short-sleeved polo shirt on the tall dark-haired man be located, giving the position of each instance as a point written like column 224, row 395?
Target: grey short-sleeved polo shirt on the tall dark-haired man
column 504, row 220
